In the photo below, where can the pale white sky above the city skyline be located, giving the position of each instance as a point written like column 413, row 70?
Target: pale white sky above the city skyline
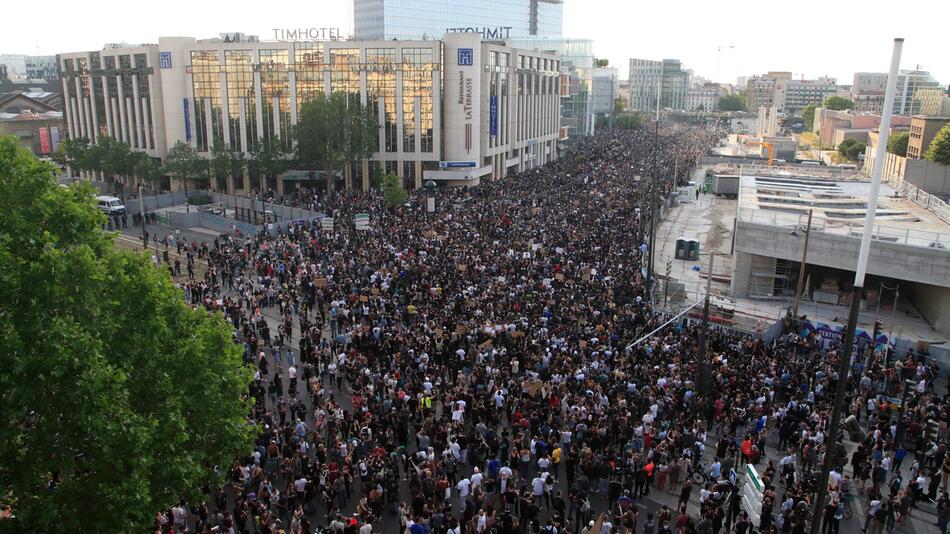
column 810, row 38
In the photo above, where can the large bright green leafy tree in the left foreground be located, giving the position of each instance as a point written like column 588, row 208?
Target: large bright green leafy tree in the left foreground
column 116, row 398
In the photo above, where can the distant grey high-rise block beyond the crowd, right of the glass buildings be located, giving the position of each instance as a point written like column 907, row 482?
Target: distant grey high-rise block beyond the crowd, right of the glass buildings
column 650, row 78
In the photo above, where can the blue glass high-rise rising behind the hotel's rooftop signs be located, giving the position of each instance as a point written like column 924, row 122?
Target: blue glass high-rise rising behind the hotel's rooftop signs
column 429, row 19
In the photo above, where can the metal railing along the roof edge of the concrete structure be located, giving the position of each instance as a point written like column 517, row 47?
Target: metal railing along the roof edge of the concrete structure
column 881, row 232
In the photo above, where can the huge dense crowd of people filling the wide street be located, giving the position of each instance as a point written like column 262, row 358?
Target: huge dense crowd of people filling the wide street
column 471, row 370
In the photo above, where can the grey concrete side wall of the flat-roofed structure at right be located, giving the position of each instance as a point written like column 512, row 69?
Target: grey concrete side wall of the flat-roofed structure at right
column 917, row 264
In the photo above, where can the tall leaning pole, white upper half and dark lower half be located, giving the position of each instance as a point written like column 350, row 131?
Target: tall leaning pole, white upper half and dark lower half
column 844, row 363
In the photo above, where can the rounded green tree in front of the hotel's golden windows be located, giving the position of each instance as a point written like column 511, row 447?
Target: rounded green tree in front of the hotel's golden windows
column 333, row 131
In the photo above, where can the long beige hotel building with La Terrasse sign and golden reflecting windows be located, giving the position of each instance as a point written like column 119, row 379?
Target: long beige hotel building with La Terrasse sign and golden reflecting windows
column 498, row 113
